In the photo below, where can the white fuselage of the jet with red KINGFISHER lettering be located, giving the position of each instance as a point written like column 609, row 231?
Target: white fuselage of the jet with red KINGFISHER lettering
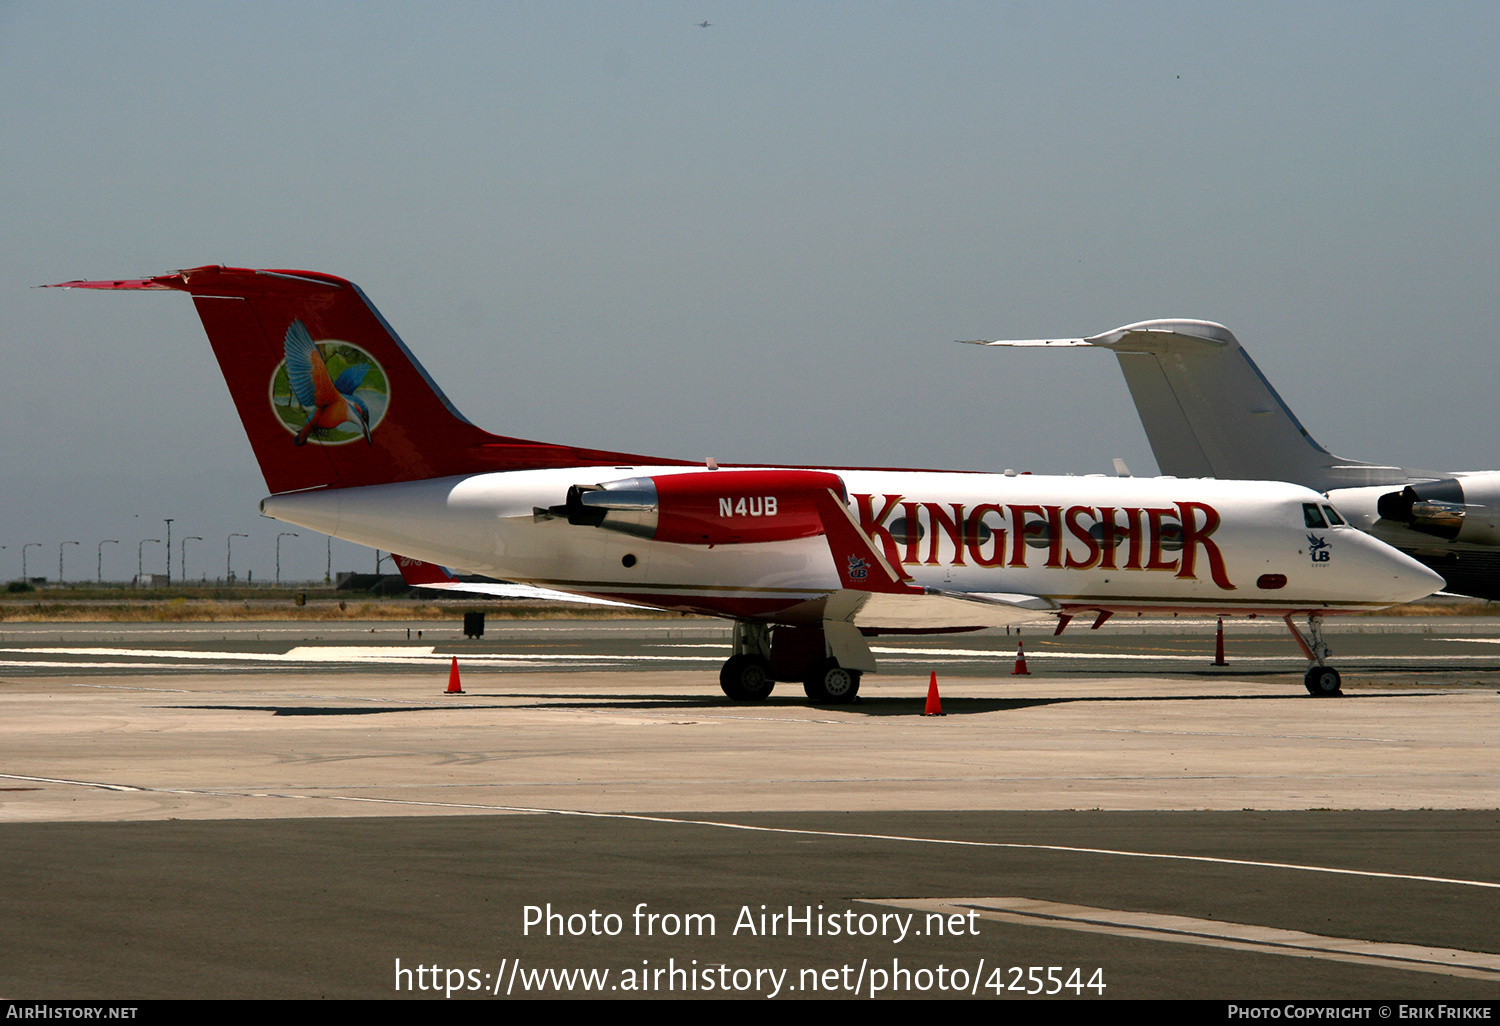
column 1175, row 545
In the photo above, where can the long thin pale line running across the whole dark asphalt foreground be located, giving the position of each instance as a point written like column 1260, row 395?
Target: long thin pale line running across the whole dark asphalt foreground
column 644, row 818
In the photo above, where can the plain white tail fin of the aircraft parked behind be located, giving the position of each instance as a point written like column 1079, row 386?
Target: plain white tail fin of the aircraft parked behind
column 1210, row 412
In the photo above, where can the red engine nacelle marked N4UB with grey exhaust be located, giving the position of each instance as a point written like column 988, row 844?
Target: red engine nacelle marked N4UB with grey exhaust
column 706, row 508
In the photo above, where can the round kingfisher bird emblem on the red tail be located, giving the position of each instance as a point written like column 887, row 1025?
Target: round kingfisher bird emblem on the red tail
column 328, row 392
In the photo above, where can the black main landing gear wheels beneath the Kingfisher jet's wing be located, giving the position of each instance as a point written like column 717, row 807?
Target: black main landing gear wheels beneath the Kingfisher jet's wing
column 800, row 653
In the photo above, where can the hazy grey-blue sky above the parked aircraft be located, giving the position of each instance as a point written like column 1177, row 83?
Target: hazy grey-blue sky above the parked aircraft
column 601, row 224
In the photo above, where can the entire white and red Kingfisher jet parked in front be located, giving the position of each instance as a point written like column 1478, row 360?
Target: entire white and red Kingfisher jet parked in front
column 359, row 443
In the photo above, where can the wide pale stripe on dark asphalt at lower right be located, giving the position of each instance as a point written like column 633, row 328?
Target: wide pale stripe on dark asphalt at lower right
column 1214, row 934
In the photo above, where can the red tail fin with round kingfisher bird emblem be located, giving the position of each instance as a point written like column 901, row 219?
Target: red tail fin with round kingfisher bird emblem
column 329, row 394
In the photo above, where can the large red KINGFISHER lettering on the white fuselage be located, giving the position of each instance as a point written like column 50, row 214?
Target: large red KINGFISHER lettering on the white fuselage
column 1177, row 539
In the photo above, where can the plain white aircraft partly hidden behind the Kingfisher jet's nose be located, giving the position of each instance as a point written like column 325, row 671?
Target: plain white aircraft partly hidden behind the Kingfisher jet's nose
column 1210, row 412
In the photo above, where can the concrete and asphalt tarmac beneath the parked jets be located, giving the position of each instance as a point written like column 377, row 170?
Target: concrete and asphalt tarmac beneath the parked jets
column 290, row 809
